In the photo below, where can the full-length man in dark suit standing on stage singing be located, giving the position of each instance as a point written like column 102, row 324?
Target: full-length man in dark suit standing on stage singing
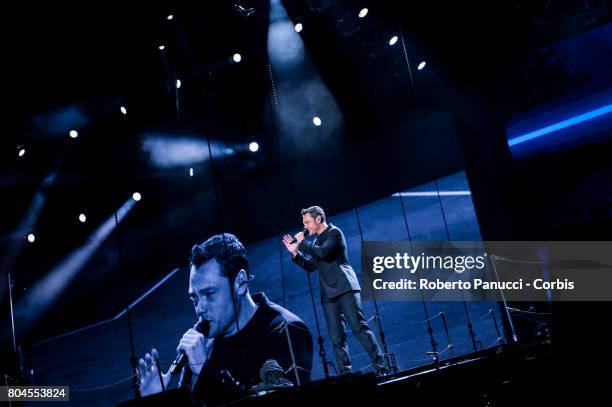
column 340, row 290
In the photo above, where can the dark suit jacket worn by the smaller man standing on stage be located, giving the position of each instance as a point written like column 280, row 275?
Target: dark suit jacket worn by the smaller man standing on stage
column 328, row 254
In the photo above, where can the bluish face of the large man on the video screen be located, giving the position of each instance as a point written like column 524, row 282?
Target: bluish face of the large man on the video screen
column 209, row 291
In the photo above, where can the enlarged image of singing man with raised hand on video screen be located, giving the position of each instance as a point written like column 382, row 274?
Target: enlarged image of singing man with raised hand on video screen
column 237, row 332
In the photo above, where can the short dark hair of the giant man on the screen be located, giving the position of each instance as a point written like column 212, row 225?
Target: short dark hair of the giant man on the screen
column 227, row 250
